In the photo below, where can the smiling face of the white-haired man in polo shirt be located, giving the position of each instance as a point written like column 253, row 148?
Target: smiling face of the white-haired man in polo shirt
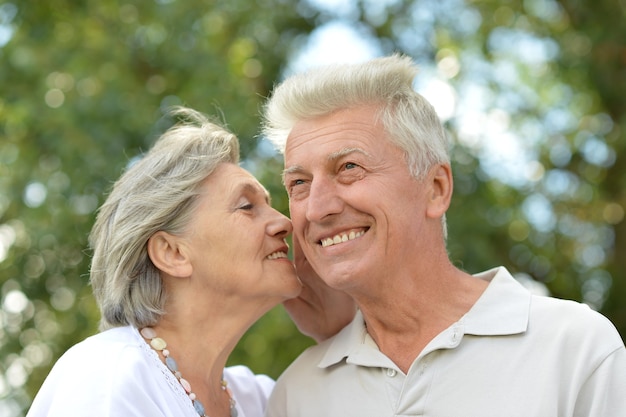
column 356, row 210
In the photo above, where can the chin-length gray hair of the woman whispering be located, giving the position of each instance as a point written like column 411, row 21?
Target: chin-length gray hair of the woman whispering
column 157, row 193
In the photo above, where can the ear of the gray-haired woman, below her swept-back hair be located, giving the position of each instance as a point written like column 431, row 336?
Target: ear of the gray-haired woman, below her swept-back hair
column 168, row 254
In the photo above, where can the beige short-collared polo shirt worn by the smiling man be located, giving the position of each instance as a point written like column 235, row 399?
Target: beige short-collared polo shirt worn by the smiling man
column 513, row 354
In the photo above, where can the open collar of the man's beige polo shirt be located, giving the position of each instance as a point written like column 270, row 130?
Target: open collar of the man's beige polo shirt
column 502, row 309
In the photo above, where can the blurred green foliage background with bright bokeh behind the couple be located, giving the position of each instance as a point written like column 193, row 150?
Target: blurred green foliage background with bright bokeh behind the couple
column 532, row 93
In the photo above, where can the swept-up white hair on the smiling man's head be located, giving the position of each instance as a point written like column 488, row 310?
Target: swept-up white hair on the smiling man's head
column 409, row 120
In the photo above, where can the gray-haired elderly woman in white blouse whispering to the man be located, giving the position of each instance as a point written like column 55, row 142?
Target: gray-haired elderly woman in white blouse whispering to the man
column 187, row 254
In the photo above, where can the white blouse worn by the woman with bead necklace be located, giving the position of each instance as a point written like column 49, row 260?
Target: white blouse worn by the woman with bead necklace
column 116, row 373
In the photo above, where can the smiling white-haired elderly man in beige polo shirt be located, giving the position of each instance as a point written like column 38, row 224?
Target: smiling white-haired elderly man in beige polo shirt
column 369, row 182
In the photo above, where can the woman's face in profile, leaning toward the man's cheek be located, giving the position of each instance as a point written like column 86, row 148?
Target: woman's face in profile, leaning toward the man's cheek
column 236, row 240
